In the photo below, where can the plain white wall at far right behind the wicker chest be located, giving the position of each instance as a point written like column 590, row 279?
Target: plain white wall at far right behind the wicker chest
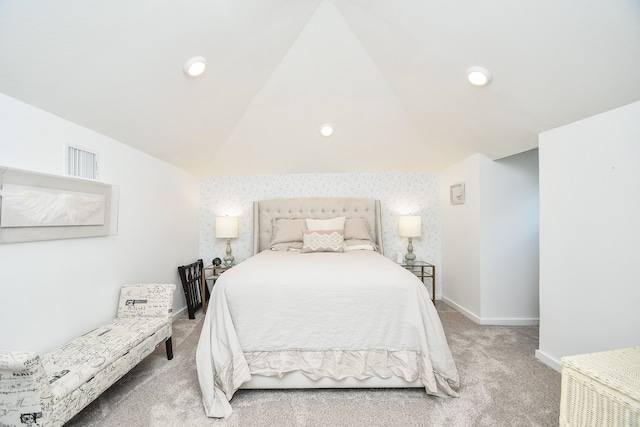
column 590, row 235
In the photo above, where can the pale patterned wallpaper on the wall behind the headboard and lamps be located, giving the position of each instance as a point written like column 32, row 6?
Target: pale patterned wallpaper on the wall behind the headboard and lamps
column 399, row 194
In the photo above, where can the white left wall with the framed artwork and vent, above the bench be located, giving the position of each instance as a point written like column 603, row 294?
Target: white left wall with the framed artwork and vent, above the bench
column 53, row 291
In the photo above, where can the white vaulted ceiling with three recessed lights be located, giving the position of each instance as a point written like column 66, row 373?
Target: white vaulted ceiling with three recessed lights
column 389, row 75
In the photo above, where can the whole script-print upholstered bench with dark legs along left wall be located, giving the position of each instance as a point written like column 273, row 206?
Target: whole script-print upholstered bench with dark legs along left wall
column 51, row 389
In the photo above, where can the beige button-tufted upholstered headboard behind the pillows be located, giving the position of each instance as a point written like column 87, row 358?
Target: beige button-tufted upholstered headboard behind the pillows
column 265, row 211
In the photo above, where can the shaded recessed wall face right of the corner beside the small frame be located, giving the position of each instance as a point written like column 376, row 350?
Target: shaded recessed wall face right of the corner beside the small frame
column 510, row 238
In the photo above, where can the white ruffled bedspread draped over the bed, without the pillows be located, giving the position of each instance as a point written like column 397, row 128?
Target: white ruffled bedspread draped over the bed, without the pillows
column 353, row 314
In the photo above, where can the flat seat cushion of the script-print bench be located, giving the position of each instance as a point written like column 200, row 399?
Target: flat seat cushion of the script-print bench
column 80, row 360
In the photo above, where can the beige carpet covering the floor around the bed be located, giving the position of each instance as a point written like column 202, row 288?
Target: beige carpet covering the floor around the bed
column 503, row 384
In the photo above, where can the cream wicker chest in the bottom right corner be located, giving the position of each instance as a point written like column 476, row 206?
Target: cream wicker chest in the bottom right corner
column 601, row 389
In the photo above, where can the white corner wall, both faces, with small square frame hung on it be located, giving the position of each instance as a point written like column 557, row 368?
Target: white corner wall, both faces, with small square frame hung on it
column 490, row 243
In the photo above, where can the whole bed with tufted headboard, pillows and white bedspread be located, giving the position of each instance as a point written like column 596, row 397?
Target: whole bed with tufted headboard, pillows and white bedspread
column 319, row 306
